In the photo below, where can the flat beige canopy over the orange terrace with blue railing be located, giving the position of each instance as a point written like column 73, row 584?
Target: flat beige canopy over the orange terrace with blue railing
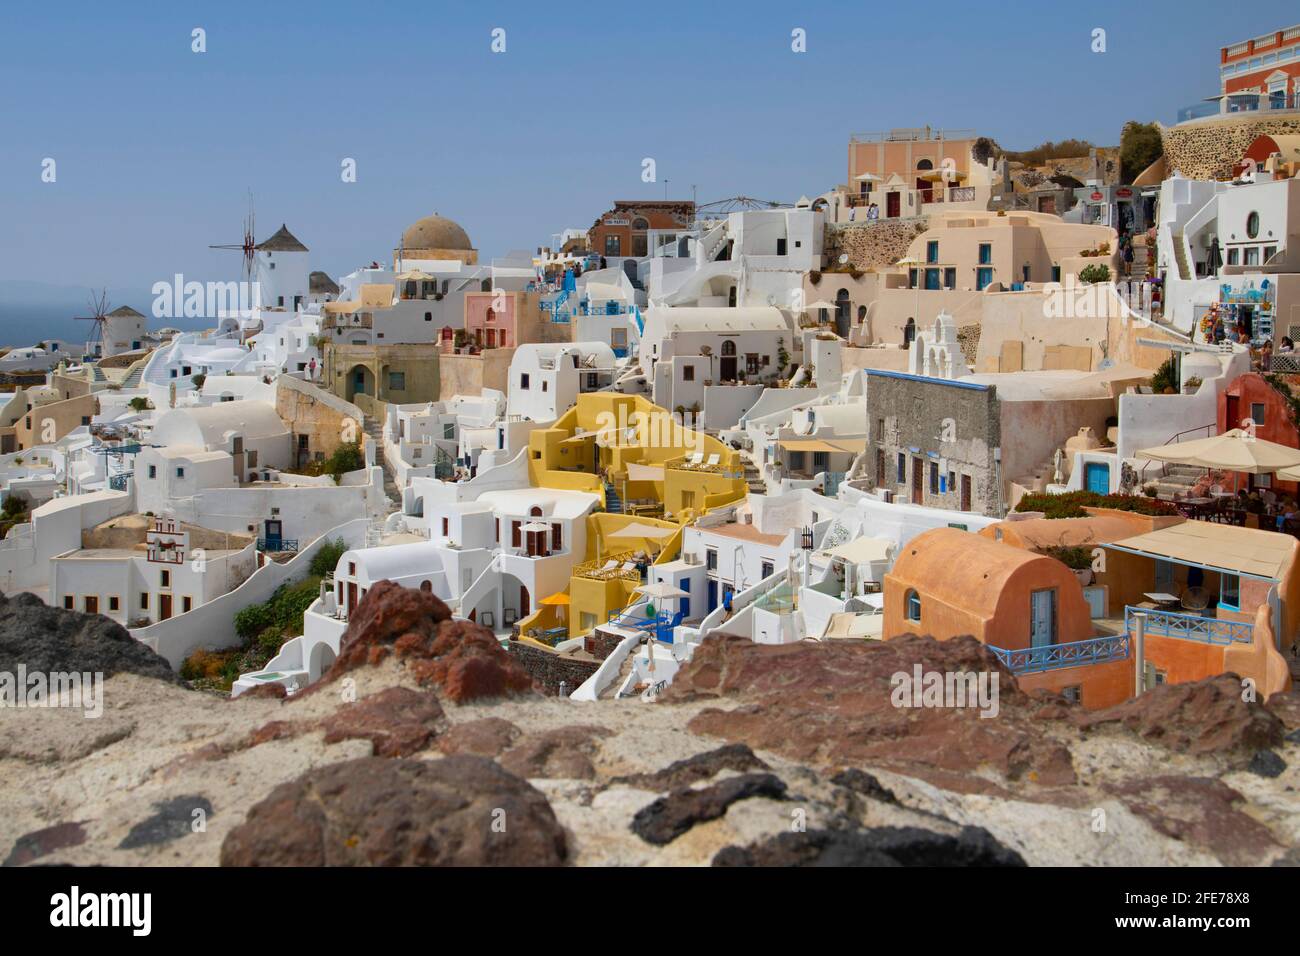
column 1217, row 547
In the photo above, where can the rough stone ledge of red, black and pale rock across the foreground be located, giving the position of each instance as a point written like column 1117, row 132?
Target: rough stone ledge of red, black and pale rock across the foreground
column 426, row 745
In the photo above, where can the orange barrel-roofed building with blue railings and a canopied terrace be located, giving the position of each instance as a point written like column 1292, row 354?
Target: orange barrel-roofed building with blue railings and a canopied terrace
column 1208, row 599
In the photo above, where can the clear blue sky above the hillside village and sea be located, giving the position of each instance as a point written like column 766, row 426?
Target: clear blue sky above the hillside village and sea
column 158, row 146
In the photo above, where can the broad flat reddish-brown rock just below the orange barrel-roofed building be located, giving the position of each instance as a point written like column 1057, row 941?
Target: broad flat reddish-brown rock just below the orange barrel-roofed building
column 830, row 704
